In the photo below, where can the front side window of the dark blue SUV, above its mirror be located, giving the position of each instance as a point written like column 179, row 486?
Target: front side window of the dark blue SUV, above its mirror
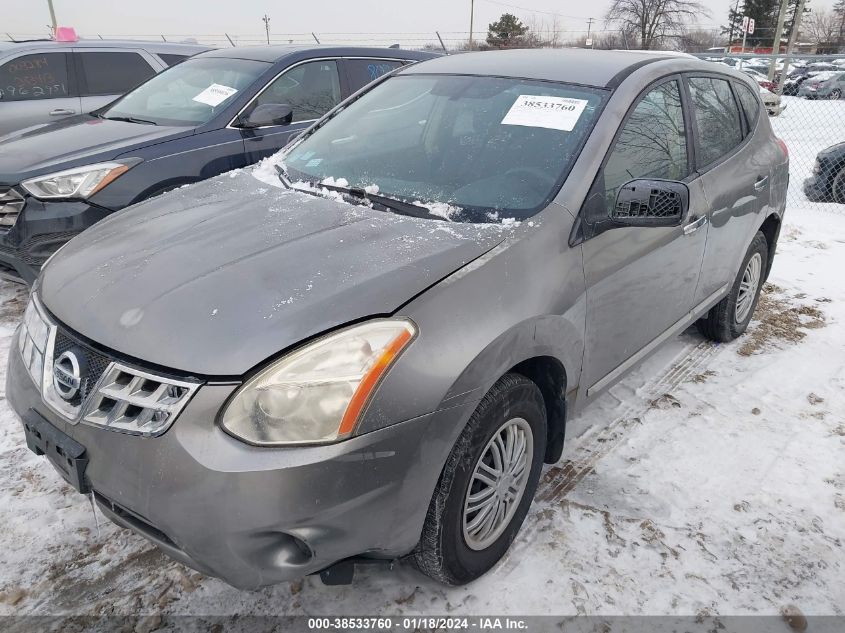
column 311, row 89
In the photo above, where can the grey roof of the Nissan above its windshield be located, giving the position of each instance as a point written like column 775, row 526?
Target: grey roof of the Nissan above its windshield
column 572, row 65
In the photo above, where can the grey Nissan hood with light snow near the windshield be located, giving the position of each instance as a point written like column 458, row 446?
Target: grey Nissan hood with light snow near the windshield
column 214, row 278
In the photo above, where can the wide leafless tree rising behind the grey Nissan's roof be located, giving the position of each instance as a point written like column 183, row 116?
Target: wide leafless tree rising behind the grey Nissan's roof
column 654, row 20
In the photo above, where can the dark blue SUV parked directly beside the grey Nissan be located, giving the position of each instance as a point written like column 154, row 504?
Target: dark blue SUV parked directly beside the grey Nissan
column 218, row 111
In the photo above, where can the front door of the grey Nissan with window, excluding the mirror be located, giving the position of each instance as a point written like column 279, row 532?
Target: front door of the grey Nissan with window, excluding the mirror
column 641, row 281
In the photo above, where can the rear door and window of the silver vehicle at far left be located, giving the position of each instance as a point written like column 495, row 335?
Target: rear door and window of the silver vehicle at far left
column 105, row 74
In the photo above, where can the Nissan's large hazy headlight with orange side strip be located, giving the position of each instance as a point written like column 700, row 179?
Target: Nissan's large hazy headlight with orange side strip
column 316, row 395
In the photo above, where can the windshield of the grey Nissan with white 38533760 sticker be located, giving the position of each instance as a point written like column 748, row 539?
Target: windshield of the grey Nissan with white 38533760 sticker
column 473, row 149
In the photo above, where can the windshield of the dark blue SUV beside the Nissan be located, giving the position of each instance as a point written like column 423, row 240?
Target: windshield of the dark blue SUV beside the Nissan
column 190, row 93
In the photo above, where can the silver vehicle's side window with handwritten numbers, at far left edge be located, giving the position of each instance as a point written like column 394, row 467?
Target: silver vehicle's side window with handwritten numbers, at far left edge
column 33, row 77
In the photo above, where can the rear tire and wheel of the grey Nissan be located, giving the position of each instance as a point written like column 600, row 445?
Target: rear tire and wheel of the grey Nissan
column 721, row 322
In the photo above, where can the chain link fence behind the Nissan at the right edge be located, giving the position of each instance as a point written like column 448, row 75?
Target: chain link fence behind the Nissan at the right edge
column 807, row 111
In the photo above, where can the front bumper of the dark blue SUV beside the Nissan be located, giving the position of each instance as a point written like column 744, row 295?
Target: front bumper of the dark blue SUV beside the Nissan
column 42, row 228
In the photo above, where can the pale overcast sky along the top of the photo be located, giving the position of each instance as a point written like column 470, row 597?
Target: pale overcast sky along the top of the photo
column 400, row 18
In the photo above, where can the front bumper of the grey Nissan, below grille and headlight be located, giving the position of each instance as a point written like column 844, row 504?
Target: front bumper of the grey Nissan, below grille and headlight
column 258, row 516
